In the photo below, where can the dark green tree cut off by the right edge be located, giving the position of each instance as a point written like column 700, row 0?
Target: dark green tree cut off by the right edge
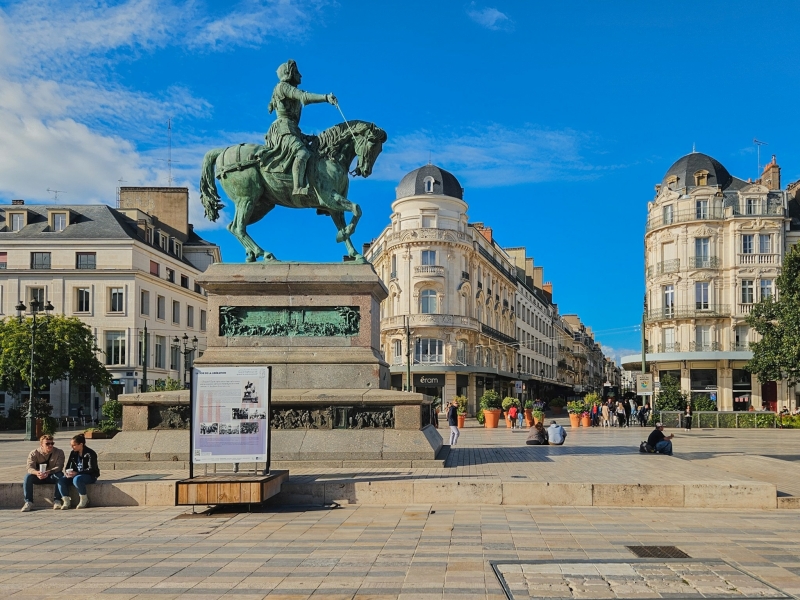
column 777, row 320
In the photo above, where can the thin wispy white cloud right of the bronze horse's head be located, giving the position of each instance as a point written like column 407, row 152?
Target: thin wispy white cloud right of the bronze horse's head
column 491, row 154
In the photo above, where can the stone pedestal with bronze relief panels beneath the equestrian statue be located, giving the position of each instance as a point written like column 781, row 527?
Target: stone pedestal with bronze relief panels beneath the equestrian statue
column 318, row 327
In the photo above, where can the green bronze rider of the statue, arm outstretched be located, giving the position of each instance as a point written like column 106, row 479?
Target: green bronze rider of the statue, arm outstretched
column 286, row 146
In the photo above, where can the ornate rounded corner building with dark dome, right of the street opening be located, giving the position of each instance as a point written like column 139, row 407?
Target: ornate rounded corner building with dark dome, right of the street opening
column 714, row 245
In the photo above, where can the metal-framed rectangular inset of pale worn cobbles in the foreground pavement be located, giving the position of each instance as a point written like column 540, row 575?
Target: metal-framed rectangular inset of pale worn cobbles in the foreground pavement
column 644, row 579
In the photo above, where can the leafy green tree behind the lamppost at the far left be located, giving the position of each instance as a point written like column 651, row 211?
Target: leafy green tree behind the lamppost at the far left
column 64, row 347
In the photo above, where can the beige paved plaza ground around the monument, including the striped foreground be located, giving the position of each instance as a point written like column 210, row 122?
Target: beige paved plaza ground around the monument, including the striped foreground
column 437, row 549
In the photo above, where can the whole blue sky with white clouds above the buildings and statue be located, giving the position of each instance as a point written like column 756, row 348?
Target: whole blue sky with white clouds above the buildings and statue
column 557, row 118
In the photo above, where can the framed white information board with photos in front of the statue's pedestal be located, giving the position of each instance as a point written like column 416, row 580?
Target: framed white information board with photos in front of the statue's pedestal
column 230, row 414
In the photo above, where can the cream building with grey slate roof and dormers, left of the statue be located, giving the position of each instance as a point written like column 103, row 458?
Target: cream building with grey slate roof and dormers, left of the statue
column 117, row 270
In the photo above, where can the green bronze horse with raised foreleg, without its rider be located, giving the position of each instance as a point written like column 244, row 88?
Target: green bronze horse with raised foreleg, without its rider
column 255, row 193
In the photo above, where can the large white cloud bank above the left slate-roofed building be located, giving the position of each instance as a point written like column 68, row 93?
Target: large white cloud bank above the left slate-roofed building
column 66, row 124
